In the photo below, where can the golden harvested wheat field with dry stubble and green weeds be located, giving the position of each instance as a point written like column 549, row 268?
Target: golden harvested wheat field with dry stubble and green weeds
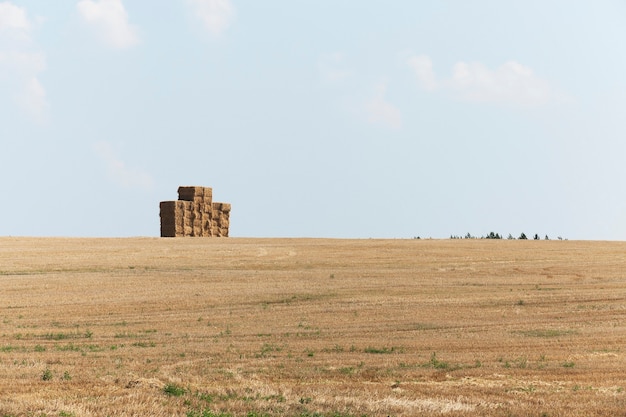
column 311, row 327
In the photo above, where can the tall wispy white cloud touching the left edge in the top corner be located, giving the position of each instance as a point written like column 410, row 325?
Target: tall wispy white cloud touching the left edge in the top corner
column 21, row 62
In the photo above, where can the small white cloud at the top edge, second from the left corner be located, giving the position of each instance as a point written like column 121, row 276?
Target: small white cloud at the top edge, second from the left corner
column 110, row 20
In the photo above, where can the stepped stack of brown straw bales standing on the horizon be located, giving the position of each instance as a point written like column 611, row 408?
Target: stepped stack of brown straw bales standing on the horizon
column 194, row 214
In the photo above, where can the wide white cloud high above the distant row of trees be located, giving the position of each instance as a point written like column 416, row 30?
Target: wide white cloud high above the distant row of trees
column 511, row 83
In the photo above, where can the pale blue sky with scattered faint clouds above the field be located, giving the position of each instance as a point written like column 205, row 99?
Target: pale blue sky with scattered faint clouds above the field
column 314, row 118
